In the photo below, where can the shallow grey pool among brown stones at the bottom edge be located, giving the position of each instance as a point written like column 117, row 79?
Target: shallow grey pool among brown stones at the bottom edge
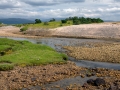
column 61, row 84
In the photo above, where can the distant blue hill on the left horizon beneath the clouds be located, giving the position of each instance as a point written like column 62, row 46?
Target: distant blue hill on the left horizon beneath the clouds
column 15, row 21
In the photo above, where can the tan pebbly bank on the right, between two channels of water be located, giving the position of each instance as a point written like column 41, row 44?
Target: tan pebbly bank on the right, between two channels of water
column 103, row 52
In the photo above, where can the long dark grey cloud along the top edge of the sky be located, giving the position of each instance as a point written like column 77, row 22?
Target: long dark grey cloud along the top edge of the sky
column 50, row 2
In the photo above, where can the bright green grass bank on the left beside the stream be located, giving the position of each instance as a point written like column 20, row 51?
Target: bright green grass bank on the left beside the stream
column 24, row 53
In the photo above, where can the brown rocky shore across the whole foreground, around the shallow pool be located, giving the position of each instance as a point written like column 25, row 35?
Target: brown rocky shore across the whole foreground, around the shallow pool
column 25, row 77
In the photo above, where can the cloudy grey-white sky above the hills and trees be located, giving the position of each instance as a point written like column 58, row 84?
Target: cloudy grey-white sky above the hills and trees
column 44, row 9
